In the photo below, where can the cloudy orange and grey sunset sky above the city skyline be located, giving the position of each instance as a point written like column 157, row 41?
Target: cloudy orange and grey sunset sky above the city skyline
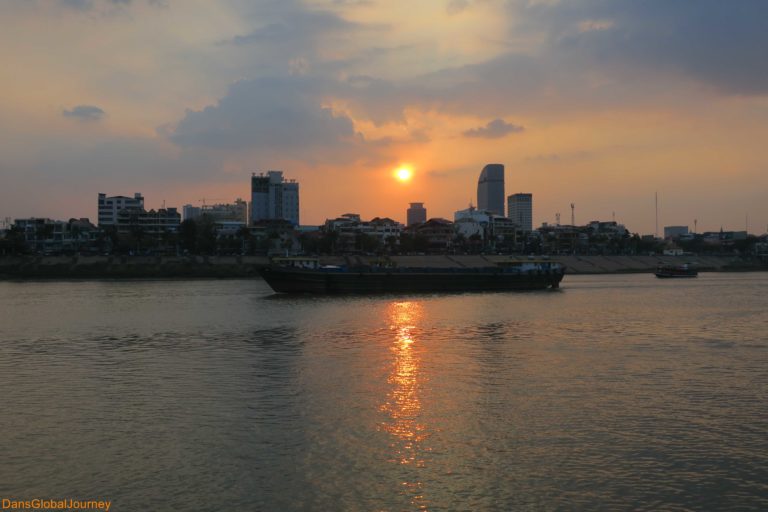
column 600, row 103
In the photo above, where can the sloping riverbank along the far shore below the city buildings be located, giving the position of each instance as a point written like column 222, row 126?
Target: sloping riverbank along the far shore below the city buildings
column 121, row 267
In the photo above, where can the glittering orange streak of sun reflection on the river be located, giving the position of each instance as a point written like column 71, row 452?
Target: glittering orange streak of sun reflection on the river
column 403, row 406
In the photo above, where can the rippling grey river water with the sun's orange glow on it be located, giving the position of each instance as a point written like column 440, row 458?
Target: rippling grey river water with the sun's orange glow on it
column 617, row 392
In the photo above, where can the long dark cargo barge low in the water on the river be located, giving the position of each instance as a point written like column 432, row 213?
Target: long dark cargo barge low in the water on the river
column 307, row 276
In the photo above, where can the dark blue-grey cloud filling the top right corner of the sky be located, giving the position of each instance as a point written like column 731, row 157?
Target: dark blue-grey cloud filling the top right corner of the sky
column 715, row 42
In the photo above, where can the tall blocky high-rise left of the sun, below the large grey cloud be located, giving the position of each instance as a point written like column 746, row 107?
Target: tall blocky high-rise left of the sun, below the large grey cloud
column 272, row 197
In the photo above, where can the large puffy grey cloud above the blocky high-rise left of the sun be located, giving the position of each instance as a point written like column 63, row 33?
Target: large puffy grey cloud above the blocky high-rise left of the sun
column 277, row 114
